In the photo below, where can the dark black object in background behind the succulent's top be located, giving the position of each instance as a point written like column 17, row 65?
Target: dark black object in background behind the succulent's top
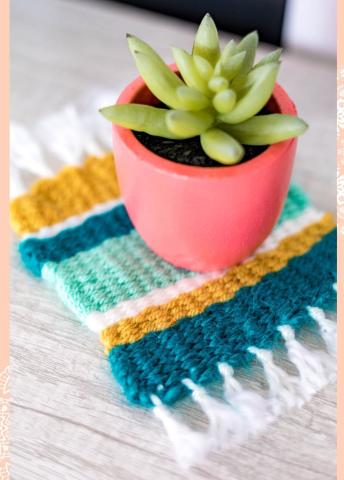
column 235, row 16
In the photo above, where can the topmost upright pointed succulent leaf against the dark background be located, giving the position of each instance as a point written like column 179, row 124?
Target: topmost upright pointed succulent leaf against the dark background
column 206, row 42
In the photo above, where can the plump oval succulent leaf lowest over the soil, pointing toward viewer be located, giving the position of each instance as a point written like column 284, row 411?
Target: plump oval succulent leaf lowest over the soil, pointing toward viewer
column 221, row 146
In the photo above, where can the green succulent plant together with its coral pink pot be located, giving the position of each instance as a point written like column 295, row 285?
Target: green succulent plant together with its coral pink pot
column 204, row 149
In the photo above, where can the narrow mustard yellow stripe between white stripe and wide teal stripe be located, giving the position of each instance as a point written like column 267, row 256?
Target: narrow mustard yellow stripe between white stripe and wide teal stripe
column 156, row 318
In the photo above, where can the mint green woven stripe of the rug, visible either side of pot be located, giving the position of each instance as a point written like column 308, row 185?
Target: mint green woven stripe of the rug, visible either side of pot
column 124, row 268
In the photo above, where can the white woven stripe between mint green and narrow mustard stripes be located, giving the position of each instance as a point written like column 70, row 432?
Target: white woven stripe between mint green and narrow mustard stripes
column 97, row 321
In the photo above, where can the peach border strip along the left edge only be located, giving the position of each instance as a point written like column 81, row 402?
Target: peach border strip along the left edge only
column 4, row 256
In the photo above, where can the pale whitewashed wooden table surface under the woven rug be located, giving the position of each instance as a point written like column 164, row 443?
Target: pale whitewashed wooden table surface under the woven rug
column 69, row 420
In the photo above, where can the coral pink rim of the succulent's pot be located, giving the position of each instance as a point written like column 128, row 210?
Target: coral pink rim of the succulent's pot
column 284, row 105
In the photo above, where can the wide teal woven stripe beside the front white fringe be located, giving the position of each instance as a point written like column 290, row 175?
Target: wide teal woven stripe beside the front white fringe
column 193, row 347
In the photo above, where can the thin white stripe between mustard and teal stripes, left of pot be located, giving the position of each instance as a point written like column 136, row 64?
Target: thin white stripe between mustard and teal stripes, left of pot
column 47, row 232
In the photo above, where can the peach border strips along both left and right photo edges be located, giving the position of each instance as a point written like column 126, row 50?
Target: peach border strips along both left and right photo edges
column 4, row 251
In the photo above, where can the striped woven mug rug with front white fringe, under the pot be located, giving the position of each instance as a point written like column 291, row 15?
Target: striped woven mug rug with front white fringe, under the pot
column 170, row 333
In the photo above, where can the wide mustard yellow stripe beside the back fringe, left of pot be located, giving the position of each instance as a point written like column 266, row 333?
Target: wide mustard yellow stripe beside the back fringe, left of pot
column 72, row 192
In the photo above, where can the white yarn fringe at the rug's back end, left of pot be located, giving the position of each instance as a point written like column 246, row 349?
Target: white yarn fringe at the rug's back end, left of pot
column 62, row 138
